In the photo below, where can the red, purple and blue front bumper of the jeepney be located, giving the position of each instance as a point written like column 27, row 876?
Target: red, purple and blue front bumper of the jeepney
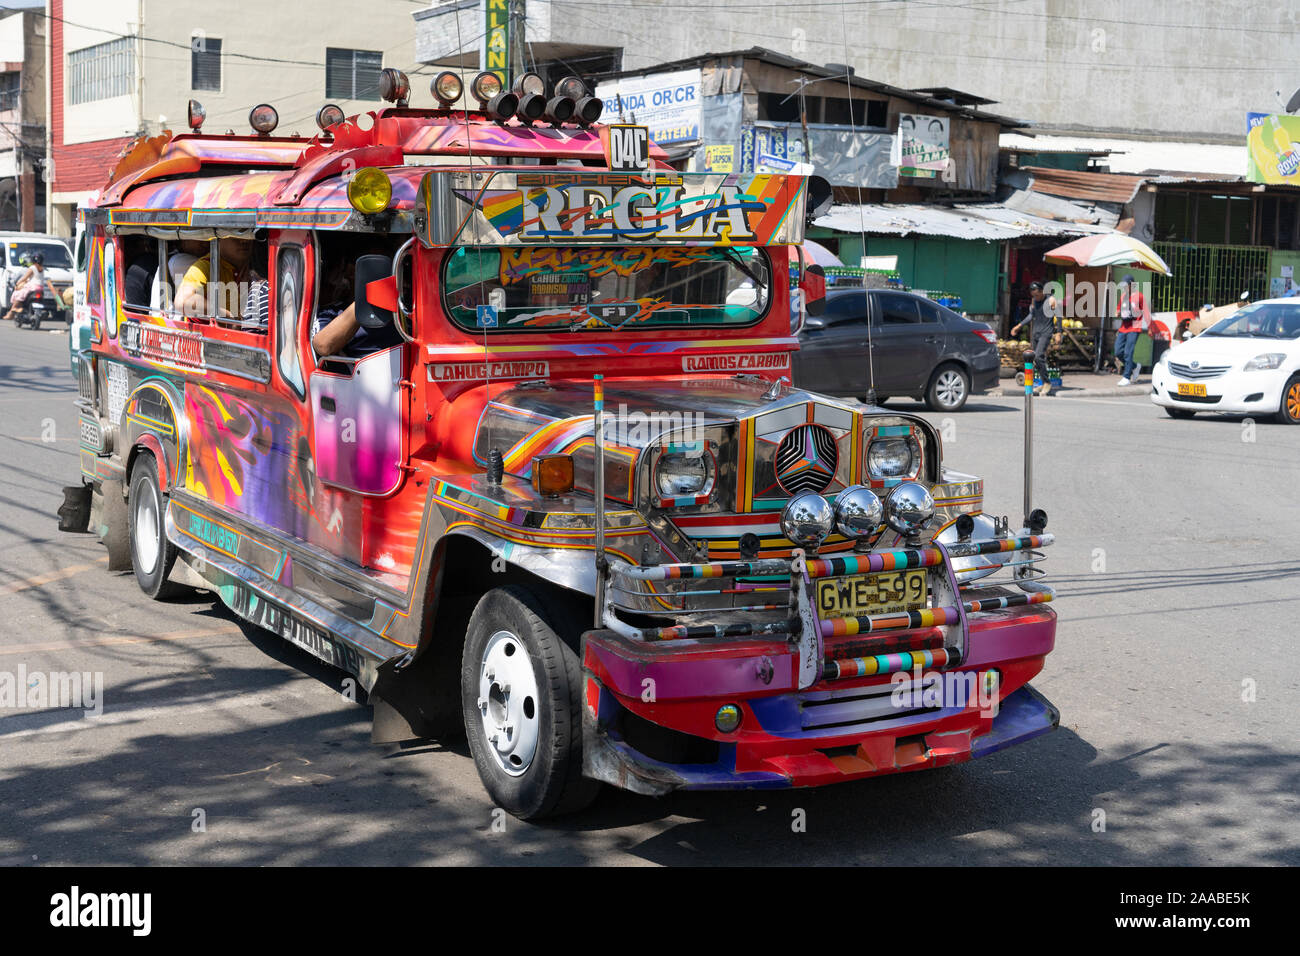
column 959, row 691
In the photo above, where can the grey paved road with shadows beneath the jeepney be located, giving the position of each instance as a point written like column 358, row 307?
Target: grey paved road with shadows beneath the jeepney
column 1197, row 530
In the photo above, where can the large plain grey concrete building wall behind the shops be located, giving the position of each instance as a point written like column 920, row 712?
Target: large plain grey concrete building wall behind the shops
column 1164, row 68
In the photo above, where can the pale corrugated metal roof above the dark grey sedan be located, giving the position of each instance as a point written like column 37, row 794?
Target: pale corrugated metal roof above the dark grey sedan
column 990, row 222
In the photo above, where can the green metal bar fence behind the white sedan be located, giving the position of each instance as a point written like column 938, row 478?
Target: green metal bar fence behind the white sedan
column 1208, row 274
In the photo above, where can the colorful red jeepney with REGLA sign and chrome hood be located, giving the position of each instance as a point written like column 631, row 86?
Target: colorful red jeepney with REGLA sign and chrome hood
column 574, row 508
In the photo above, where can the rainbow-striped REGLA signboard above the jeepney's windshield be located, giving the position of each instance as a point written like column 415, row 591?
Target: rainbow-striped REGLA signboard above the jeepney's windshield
column 466, row 207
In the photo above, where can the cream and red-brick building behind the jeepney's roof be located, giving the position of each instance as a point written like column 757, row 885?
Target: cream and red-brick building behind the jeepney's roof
column 119, row 68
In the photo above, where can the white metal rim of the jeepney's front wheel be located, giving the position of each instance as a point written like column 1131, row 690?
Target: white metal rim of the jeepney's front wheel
column 508, row 703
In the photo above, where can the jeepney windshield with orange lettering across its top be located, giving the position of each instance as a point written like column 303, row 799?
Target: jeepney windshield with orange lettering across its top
column 604, row 289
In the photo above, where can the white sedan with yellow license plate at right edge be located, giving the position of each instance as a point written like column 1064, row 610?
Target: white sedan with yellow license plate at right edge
column 1245, row 365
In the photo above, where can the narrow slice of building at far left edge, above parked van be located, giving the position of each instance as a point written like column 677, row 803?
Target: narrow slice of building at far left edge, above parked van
column 23, row 122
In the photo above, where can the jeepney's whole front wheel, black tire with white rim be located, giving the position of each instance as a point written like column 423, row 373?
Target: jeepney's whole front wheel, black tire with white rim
column 541, row 703
